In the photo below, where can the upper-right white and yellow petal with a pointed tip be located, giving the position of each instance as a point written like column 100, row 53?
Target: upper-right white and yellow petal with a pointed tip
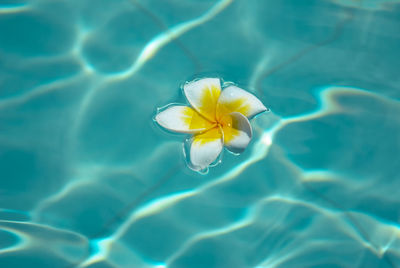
column 234, row 99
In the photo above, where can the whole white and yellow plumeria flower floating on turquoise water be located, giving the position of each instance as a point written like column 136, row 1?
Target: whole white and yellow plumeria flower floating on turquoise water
column 216, row 119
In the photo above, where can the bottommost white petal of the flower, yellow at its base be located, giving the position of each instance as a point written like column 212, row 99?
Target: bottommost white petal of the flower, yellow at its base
column 205, row 148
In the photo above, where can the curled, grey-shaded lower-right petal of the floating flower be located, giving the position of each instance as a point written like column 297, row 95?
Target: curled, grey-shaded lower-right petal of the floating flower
column 238, row 133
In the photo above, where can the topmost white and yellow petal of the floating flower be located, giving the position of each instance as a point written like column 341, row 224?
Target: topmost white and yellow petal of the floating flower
column 203, row 95
